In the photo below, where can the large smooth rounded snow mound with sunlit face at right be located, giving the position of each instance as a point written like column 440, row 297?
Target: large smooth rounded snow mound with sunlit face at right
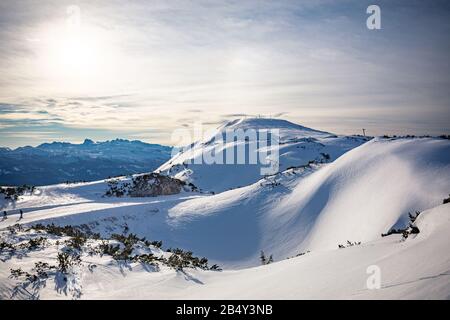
column 367, row 191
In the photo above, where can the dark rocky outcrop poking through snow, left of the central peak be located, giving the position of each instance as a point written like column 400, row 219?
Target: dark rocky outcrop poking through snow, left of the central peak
column 153, row 184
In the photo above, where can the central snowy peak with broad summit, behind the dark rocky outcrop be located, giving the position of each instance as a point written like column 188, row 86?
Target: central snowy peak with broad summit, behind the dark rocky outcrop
column 298, row 146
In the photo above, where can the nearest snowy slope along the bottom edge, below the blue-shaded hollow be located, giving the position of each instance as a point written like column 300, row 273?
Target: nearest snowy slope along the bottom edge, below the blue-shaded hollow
column 417, row 268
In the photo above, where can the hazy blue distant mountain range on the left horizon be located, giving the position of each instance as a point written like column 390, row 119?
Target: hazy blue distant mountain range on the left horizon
column 57, row 162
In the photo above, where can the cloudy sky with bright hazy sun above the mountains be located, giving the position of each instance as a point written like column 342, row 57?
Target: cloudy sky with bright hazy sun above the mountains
column 71, row 70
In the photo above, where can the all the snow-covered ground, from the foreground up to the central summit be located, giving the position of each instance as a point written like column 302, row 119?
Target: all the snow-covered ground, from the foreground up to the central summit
column 321, row 221
